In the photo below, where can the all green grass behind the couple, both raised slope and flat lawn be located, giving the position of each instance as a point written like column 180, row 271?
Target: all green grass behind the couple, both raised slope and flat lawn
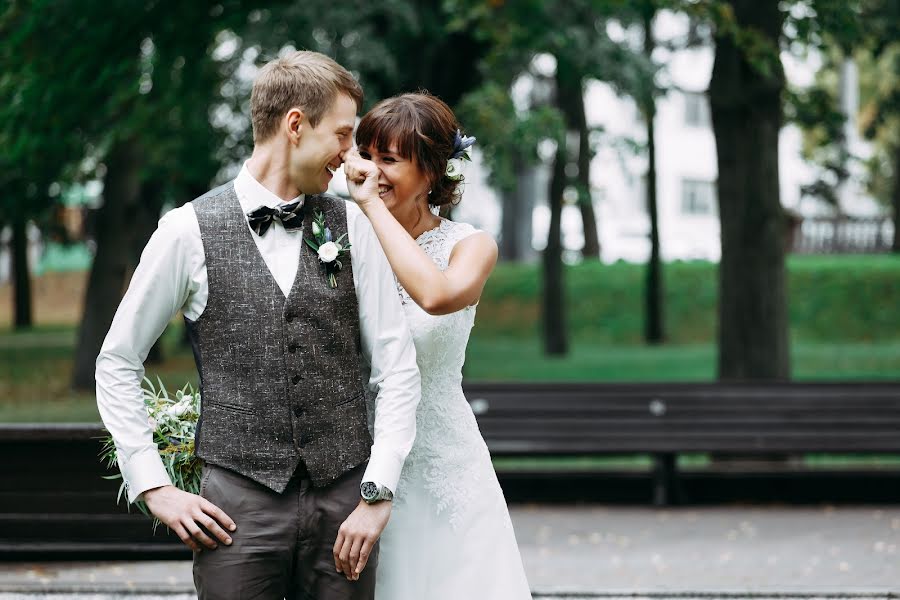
column 843, row 314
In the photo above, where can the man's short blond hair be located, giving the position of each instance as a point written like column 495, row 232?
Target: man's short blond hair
column 306, row 80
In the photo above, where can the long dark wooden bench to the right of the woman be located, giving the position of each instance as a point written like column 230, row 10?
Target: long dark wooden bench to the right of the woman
column 751, row 420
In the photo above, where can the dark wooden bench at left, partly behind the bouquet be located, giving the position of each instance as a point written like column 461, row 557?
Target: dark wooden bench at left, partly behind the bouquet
column 55, row 502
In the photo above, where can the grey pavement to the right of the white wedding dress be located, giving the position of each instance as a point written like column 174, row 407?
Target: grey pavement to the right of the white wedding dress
column 711, row 549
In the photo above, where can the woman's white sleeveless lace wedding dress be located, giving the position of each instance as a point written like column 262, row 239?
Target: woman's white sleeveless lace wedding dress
column 450, row 535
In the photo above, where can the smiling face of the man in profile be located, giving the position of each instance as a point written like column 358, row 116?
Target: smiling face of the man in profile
column 320, row 149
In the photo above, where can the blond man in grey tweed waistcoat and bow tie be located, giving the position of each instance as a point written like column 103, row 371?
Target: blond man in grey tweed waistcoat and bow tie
column 294, row 492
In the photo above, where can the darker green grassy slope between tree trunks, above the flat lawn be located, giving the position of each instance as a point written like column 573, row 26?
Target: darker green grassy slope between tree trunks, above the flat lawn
column 830, row 298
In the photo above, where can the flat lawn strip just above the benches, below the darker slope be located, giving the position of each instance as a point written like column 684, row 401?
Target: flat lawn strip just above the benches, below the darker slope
column 35, row 367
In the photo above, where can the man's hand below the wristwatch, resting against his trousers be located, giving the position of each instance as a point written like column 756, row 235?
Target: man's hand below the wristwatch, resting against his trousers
column 357, row 536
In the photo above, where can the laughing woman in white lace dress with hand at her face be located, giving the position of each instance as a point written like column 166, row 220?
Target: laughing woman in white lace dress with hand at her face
column 450, row 535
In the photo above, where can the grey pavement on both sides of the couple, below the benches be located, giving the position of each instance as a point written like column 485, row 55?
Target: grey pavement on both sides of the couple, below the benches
column 610, row 552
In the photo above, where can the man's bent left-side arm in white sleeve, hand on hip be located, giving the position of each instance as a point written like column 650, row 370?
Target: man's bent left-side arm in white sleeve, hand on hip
column 171, row 276
